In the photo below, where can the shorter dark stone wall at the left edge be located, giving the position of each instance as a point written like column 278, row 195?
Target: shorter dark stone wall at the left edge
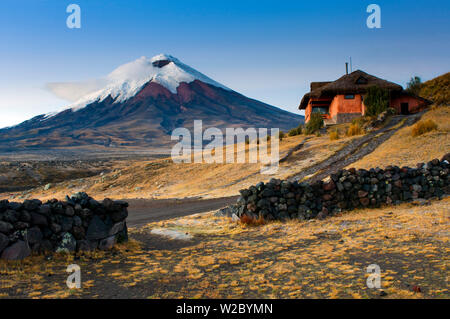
column 79, row 223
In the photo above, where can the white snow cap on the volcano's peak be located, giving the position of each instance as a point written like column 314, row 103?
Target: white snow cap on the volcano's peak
column 128, row 79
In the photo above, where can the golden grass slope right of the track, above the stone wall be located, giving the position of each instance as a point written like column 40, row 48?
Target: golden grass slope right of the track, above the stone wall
column 402, row 149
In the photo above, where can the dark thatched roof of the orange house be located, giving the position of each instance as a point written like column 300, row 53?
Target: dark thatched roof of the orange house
column 356, row 82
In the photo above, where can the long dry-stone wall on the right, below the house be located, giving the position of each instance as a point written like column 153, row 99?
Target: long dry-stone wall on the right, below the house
column 345, row 190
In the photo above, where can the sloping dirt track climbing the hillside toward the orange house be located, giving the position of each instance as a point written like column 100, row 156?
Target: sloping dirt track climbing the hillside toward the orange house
column 355, row 150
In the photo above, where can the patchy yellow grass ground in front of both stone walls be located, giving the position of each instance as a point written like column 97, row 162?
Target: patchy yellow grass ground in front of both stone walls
column 315, row 259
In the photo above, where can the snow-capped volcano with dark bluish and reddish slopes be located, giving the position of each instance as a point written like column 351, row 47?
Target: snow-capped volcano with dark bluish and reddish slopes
column 141, row 104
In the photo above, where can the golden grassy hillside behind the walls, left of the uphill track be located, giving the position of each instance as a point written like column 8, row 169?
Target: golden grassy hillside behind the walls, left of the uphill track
column 164, row 179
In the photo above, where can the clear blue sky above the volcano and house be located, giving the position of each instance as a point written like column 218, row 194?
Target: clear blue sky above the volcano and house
column 267, row 50
